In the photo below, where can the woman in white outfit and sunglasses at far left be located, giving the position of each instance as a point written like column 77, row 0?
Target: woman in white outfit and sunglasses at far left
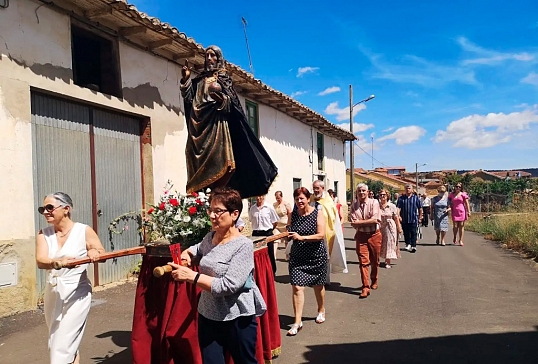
column 68, row 291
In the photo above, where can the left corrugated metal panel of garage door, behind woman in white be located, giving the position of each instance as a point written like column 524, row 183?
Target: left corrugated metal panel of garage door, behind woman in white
column 61, row 158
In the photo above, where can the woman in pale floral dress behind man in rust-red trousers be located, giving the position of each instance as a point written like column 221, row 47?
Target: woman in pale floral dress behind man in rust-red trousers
column 390, row 228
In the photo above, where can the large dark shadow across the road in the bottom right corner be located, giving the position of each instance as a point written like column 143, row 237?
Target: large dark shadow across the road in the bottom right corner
column 515, row 347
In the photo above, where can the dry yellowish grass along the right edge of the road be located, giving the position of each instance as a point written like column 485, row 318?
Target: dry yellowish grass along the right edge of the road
column 519, row 231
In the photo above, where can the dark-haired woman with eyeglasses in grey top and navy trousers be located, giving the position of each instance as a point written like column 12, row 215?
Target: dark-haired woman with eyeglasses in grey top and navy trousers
column 230, row 299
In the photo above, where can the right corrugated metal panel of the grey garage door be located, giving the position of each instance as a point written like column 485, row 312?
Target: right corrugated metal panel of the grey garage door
column 119, row 186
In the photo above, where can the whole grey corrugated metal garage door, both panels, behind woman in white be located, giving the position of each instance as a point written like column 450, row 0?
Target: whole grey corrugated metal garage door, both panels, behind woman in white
column 62, row 133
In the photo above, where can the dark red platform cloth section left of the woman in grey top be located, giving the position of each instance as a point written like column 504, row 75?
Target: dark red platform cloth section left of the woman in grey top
column 165, row 318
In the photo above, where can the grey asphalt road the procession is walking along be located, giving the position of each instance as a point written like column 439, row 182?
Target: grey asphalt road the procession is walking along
column 451, row 304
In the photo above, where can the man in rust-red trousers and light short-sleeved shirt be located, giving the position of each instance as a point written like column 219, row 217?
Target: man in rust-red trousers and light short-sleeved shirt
column 365, row 217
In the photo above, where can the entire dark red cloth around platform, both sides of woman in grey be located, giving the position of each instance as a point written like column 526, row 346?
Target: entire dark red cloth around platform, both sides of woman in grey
column 165, row 316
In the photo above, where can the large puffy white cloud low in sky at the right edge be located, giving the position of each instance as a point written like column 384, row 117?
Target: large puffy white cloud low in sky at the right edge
column 484, row 131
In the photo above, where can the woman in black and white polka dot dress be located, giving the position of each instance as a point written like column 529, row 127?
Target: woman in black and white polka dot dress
column 308, row 256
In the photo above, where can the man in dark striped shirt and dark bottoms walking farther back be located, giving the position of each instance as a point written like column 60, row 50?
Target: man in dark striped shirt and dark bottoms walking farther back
column 409, row 209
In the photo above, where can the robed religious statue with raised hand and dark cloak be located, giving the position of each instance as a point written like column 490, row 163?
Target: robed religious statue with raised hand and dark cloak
column 222, row 149
